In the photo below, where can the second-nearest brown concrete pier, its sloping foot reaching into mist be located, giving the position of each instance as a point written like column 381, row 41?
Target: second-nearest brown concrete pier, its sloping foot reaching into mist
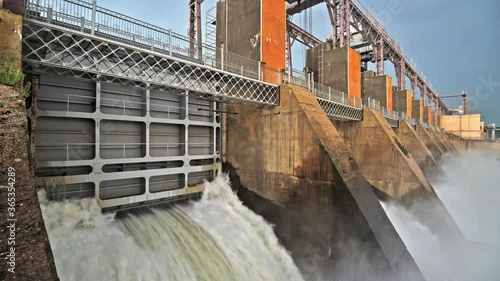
column 386, row 163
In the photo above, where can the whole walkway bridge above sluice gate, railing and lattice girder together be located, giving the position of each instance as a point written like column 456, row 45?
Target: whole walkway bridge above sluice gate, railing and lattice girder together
column 78, row 39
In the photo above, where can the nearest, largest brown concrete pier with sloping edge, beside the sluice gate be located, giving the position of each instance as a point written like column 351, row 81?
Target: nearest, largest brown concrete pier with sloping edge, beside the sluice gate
column 292, row 156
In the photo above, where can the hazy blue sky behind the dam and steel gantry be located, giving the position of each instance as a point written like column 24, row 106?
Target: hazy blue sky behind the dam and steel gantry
column 455, row 43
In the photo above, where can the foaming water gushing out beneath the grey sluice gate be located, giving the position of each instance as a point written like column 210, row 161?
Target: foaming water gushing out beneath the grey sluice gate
column 216, row 238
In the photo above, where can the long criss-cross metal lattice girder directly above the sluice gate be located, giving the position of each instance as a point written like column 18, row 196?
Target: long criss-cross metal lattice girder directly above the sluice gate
column 49, row 48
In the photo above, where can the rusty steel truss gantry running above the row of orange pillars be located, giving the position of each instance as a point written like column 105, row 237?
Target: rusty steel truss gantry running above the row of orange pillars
column 349, row 17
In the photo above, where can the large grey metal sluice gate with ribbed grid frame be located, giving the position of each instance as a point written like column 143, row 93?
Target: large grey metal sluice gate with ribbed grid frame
column 138, row 151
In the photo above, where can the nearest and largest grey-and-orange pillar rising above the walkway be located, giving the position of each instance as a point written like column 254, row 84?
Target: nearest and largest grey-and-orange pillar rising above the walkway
column 255, row 30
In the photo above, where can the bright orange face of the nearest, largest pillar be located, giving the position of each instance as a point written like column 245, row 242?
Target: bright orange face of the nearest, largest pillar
column 273, row 39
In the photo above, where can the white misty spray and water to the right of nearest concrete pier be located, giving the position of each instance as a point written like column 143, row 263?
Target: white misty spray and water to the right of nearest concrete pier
column 471, row 194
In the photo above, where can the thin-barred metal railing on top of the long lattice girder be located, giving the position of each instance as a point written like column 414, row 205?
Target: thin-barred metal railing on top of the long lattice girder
column 87, row 17
